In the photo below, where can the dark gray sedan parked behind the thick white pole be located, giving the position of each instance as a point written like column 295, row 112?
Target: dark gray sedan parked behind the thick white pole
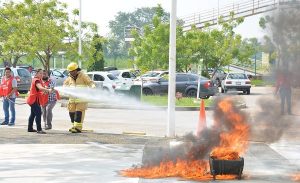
column 186, row 84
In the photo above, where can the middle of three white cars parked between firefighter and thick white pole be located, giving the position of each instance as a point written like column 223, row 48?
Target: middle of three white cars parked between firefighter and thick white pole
column 126, row 78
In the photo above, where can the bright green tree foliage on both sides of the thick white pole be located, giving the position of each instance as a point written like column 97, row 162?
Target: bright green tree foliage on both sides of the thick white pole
column 215, row 47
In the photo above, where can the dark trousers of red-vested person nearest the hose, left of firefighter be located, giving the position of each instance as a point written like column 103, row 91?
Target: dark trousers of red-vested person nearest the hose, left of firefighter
column 35, row 113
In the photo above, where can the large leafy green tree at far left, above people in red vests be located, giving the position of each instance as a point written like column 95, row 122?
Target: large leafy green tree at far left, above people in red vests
column 34, row 28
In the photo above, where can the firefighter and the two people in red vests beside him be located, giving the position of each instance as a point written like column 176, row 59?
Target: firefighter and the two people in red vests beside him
column 42, row 99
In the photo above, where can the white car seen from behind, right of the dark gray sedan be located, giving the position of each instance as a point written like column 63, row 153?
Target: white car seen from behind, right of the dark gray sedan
column 236, row 82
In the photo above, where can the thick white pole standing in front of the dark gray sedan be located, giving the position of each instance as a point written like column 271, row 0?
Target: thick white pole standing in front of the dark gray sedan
column 172, row 70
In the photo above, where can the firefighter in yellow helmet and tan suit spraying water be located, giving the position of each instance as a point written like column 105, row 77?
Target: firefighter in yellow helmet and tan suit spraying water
column 76, row 106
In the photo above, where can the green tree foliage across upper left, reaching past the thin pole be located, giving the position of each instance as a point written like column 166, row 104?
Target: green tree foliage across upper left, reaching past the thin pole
column 41, row 29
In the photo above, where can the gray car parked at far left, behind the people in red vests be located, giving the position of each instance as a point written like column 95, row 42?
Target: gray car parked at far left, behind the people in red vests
column 23, row 78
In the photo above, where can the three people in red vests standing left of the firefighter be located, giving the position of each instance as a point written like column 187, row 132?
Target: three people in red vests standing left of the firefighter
column 40, row 106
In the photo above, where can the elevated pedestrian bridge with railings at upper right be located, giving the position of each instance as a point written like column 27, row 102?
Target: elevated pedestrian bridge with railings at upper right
column 242, row 9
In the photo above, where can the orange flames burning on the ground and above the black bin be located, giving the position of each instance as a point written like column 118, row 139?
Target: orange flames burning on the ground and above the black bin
column 232, row 144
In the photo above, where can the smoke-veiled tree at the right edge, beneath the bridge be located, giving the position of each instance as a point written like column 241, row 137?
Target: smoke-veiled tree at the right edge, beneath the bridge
column 283, row 36
